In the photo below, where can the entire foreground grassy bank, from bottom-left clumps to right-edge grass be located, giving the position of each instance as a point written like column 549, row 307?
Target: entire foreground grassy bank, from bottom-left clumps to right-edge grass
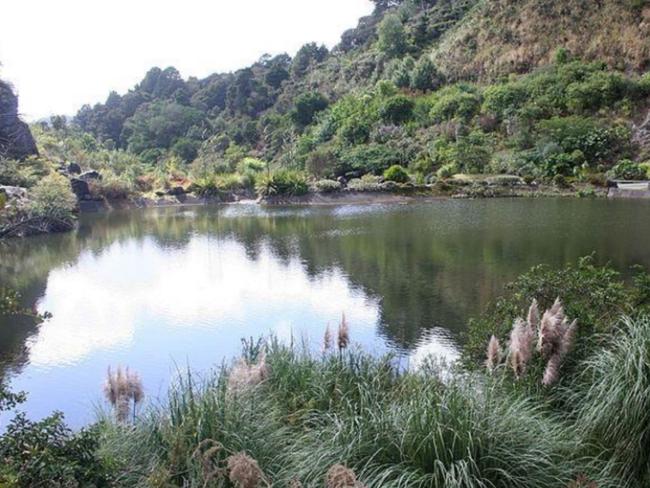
column 309, row 413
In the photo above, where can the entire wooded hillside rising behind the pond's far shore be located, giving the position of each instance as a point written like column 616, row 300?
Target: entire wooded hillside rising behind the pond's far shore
column 547, row 91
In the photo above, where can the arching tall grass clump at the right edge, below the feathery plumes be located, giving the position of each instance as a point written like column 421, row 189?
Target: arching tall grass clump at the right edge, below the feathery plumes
column 613, row 400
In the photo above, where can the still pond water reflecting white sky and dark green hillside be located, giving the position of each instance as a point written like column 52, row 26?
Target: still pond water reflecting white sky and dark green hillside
column 163, row 289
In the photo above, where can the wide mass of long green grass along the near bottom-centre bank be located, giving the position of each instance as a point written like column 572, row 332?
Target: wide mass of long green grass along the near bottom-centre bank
column 393, row 428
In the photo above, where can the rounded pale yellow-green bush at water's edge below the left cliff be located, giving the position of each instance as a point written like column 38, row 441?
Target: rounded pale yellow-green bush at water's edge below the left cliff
column 53, row 198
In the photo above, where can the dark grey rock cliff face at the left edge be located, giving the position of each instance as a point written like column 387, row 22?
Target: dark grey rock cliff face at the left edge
column 16, row 141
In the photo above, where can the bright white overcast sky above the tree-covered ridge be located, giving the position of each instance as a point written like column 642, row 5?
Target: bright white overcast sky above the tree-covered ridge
column 61, row 54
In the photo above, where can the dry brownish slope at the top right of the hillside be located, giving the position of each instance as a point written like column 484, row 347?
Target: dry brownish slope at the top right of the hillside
column 504, row 36
